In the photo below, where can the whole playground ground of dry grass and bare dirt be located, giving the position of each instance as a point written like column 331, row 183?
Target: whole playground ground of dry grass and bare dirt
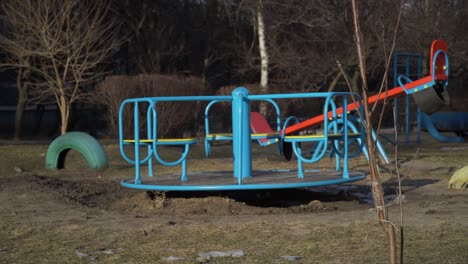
column 79, row 216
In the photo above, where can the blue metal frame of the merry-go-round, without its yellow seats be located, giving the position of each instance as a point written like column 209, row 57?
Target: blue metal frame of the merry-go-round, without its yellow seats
column 241, row 140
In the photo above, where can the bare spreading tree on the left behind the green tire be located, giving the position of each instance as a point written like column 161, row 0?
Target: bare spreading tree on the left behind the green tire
column 67, row 43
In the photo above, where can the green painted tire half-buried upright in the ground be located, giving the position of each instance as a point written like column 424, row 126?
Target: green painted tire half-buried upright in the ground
column 85, row 144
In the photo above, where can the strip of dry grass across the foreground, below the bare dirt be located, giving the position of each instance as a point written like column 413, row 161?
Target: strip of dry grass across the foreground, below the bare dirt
column 359, row 242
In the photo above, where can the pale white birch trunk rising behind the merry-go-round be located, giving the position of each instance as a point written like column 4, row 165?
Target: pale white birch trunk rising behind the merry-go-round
column 263, row 55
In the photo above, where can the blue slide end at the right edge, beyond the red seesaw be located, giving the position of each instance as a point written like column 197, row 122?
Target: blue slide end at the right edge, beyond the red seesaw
column 446, row 121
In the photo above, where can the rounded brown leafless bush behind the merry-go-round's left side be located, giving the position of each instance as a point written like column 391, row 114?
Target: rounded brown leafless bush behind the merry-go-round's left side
column 175, row 119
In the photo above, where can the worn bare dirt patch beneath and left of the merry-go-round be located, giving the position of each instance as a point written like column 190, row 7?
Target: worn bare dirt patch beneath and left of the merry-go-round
column 112, row 197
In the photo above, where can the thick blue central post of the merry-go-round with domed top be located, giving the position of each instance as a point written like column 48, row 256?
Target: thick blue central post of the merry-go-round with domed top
column 241, row 134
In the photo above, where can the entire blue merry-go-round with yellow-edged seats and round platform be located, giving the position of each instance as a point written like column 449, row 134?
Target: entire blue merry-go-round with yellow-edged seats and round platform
column 338, row 134
